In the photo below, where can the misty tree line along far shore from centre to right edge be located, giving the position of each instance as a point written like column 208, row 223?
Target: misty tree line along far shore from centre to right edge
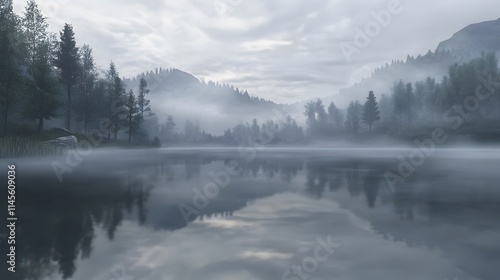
column 468, row 96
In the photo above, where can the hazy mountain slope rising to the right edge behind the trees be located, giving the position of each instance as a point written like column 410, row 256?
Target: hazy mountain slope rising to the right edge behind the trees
column 462, row 47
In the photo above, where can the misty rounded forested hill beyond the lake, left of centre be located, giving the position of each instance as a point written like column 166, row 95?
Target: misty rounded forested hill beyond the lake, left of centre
column 213, row 106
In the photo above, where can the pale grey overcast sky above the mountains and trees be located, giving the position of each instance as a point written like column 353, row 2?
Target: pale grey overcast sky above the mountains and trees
column 282, row 50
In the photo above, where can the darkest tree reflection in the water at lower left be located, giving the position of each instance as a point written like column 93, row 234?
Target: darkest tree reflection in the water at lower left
column 59, row 220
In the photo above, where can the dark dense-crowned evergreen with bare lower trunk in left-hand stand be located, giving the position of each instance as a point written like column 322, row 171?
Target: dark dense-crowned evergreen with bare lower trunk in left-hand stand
column 68, row 63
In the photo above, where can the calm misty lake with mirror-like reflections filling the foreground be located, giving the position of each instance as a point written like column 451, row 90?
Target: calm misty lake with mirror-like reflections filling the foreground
column 274, row 213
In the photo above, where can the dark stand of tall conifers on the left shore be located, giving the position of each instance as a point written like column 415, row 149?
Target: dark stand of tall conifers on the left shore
column 44, row 76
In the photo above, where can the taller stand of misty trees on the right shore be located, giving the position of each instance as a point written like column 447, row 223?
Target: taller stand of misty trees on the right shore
column 468, row 96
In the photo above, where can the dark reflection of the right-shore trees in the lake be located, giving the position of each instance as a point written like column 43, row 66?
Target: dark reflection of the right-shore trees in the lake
column 458, row 218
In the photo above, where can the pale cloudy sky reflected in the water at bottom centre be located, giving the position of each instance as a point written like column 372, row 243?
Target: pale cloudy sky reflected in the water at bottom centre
column 283, row 232
